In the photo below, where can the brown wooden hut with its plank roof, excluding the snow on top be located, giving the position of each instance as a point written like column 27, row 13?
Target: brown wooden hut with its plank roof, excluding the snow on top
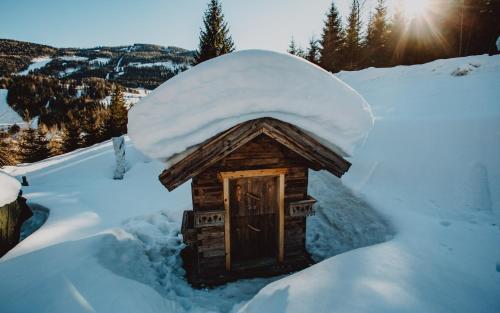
column 250, row 200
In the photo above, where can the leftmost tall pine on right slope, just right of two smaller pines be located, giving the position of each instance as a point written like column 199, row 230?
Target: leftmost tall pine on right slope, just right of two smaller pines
column 332, row 41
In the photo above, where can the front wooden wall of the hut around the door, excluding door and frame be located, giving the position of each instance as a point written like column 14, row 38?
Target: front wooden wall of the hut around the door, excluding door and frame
column 207, row 193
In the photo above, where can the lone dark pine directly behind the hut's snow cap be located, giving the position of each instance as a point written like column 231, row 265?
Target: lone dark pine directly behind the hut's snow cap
column 214, row 38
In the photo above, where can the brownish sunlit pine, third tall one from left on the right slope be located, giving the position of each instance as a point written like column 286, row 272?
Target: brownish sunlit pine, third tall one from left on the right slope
column 376, row 42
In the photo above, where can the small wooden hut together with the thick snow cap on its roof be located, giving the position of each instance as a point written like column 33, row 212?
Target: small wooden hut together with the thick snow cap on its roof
column 246, row 128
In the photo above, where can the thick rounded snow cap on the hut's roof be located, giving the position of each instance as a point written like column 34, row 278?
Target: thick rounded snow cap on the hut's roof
column 223, row 92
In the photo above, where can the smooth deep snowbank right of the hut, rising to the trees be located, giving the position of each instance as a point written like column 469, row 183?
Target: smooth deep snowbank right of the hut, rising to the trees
column 430, row 165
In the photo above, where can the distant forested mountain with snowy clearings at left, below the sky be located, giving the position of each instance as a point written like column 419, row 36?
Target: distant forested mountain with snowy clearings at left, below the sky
column 118, row 64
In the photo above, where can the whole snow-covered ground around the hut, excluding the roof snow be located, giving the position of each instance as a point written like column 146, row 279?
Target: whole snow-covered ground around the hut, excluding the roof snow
column 421, row 204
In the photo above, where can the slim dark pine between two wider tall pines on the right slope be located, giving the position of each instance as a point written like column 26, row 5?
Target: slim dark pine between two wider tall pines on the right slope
column 353, row 37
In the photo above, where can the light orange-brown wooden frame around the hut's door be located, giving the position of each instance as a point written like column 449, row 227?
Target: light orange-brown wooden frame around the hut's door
column 226, row 176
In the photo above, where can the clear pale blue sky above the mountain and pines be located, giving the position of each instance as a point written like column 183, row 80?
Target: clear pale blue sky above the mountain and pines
column 253, row 23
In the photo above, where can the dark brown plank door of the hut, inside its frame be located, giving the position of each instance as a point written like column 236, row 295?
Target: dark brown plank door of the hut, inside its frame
column 254, row 212
